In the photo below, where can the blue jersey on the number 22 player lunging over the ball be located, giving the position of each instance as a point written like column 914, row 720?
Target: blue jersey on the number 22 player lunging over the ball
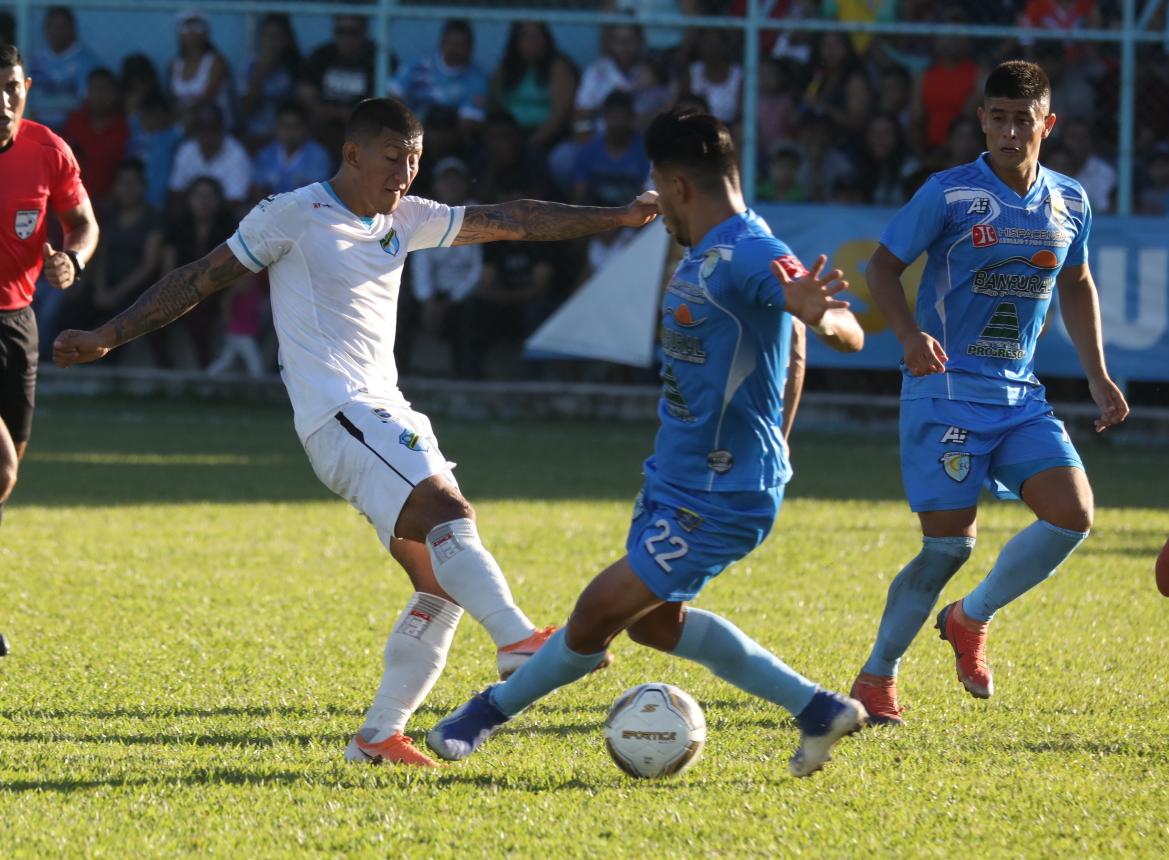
column 725, row 342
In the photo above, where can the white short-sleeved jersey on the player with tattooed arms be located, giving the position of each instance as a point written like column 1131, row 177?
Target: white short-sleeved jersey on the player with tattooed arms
column 335, row 282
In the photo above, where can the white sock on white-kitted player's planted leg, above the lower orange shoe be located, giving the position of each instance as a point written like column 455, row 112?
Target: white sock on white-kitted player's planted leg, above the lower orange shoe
column 414, row 658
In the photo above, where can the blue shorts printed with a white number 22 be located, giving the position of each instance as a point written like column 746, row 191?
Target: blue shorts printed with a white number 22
column 681, row 538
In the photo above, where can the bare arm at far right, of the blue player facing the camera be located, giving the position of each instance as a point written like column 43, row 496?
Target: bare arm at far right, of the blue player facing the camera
column 1081, row 308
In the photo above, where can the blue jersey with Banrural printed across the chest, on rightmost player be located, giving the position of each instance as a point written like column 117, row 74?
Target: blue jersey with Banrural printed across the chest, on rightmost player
column 991, row 273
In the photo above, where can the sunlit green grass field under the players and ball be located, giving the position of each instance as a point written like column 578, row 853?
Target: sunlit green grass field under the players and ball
column 198, row 629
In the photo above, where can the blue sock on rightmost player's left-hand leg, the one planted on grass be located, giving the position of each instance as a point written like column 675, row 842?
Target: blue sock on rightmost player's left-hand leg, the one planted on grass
column 912, row 597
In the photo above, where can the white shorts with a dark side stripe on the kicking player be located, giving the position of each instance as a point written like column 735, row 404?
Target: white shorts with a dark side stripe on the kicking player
column 375, row 457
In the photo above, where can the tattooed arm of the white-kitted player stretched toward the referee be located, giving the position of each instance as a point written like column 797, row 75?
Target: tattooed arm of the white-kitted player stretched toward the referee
column 165, row 302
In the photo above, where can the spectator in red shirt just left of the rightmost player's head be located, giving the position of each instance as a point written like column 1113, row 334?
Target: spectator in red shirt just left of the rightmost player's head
column 950, row 88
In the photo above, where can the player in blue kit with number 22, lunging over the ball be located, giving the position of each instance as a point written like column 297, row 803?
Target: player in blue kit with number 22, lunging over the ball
column 716, row 480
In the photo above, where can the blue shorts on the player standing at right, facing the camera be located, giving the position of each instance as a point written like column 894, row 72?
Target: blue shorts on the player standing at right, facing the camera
column 951, row 449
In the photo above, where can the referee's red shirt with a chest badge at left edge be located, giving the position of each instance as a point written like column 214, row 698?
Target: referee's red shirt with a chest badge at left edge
column 38, row 174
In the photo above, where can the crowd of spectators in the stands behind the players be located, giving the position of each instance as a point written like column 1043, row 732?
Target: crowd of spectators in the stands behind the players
column 174, row 157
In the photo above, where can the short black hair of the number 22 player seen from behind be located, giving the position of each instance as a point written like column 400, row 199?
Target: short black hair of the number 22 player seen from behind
column 698, row 144
